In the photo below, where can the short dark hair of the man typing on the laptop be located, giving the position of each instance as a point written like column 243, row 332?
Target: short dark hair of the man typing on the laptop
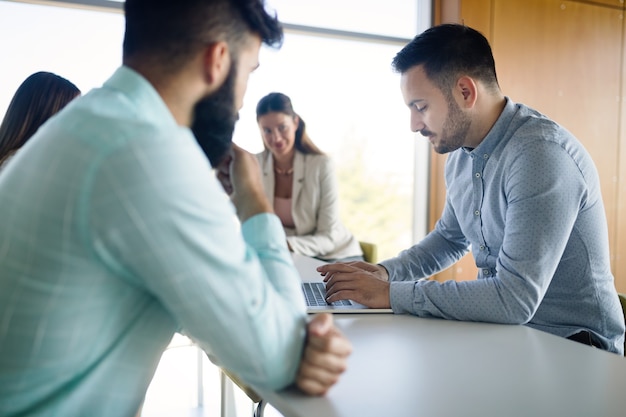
column 448, row 51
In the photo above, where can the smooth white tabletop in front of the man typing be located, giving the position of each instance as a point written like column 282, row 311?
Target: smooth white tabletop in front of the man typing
column 404, row 366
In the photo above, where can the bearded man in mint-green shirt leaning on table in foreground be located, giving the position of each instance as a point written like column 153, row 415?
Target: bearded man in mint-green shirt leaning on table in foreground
column 116, row 233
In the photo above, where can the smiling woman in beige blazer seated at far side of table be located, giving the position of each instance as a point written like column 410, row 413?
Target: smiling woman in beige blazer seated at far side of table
column 300, row 182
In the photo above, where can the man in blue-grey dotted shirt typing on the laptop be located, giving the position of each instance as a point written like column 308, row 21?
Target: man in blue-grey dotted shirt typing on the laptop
column 522, row 192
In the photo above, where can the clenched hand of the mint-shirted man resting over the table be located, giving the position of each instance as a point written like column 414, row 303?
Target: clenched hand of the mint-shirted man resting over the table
column 325, row 356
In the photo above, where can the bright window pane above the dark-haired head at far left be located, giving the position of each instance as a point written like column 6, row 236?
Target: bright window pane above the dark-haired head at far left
column 60, row 40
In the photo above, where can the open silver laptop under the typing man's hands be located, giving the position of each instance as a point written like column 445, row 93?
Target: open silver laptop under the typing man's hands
column 314, row 291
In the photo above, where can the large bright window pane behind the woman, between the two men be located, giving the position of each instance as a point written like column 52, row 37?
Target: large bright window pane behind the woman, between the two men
column 350, row 99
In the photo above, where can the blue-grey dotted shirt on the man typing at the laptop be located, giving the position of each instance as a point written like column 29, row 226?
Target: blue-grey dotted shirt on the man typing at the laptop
column 528, row 201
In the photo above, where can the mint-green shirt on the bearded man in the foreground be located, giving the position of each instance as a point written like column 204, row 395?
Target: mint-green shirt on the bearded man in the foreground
column 115, row 233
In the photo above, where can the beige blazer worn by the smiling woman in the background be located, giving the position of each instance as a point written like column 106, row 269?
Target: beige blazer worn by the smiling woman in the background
column 318, row 230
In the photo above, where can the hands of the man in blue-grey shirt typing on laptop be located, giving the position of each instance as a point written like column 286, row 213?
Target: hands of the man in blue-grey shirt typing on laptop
column 362, row 282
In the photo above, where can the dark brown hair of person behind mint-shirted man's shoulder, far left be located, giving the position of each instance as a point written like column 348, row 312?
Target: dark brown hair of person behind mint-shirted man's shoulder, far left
column 39, row 97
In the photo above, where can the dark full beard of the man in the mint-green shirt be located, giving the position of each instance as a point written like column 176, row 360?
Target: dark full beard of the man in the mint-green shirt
column 214, row 121
